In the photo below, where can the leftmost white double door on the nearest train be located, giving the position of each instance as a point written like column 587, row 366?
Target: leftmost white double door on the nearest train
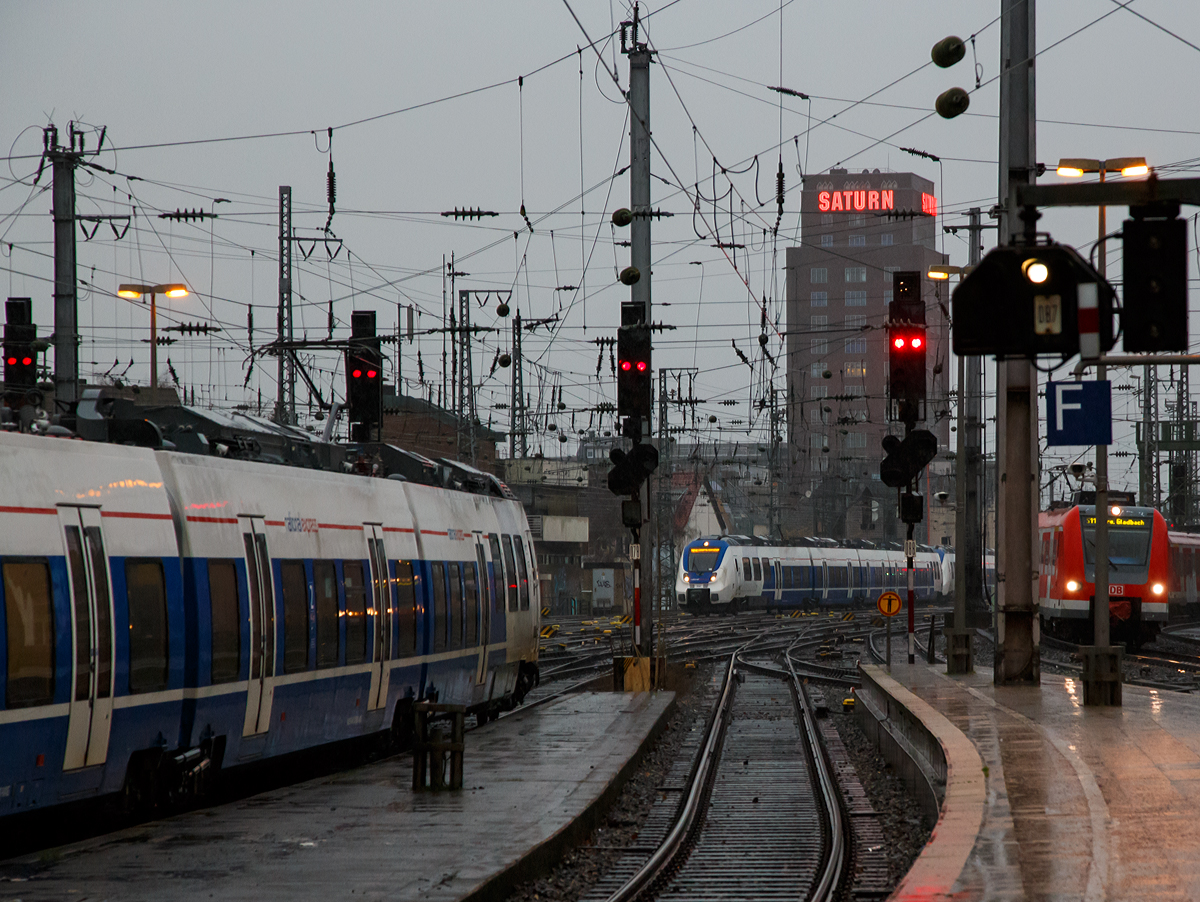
column 92, row 617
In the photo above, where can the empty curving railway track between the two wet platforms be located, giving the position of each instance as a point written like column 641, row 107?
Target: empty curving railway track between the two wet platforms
column 758, row 816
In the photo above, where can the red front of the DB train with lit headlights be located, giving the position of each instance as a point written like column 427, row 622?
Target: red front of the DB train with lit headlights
column 1141, row 584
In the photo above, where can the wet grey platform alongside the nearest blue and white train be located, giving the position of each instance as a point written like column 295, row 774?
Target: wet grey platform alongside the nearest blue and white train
column 533, row 781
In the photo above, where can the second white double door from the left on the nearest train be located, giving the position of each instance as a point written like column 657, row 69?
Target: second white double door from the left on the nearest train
column 261, row 690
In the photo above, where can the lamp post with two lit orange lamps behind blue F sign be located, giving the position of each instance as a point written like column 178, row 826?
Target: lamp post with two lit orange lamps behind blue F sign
column 1096, row 689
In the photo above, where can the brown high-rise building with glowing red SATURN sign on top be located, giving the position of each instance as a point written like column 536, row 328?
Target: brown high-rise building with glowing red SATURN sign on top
column 857, row 231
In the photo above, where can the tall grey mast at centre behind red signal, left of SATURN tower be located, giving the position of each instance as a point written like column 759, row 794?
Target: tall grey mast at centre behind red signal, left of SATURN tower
column 640, row 257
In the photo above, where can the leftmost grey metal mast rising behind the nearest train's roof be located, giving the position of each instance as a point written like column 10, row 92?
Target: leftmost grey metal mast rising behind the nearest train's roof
column 67, row 310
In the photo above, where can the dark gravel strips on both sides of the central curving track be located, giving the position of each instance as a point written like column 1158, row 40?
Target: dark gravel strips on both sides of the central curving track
column 581, row 868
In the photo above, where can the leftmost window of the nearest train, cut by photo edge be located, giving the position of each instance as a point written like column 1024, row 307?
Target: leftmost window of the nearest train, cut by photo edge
column 29, row 618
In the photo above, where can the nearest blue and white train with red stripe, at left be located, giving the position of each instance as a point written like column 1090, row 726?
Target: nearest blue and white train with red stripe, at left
column 164, row 615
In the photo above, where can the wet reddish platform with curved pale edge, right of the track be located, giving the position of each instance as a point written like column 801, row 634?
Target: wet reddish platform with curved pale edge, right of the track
column 1046, row 799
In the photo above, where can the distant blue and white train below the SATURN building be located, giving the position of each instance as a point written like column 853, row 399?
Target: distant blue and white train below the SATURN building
column 731, row 574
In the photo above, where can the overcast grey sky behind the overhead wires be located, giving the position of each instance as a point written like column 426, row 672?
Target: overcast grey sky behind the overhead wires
column 231, row 100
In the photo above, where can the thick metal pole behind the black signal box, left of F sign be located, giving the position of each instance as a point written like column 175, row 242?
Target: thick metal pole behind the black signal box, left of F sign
column 1017, row 638
